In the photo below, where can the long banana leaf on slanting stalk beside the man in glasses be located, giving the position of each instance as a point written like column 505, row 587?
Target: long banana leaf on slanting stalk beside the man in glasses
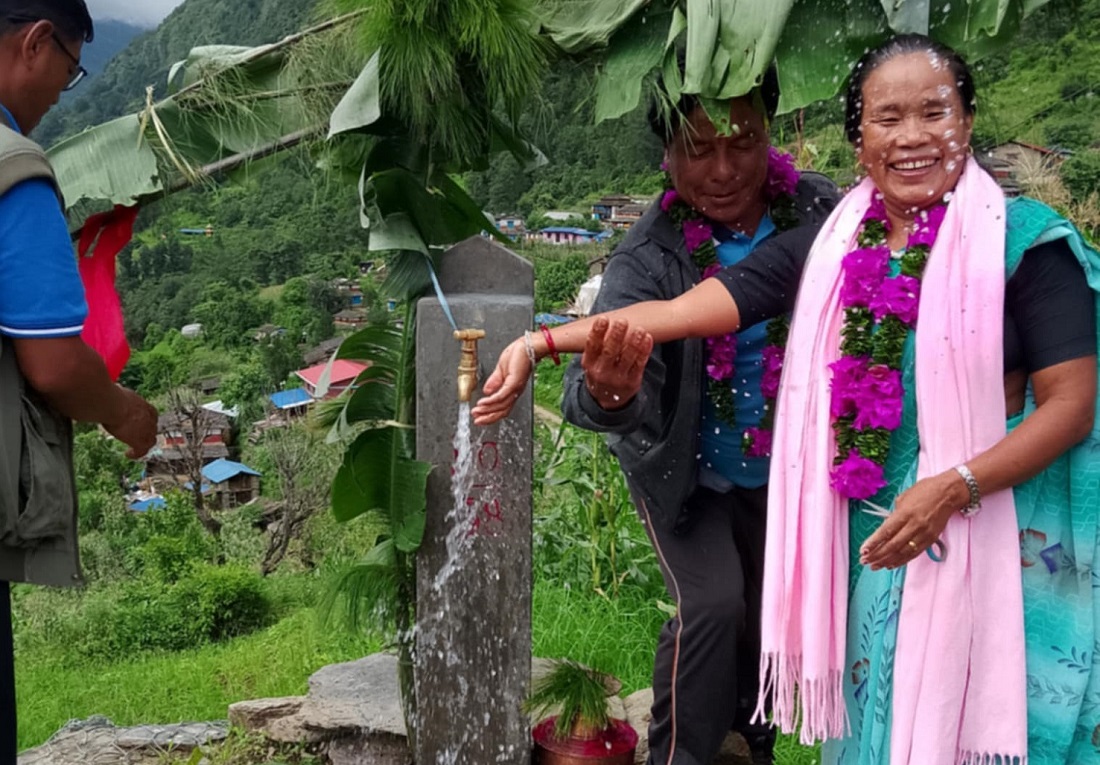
column 224, row 103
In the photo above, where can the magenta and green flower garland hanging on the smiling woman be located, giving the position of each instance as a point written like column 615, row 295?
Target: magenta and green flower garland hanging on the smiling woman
column 867, row 395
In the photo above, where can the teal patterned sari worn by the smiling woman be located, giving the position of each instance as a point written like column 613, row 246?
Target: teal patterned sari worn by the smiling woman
column 1058, row 513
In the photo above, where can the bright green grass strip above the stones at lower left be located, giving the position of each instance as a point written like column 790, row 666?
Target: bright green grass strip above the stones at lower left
column 178, row 687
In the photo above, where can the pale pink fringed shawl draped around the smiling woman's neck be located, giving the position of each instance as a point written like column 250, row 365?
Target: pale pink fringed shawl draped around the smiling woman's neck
column 960, row 685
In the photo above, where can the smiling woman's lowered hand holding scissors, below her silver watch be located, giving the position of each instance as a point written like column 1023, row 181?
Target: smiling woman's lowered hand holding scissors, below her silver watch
column 920, row 517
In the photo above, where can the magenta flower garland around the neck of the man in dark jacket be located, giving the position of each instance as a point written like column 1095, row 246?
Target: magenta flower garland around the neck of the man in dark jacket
column 722, row 351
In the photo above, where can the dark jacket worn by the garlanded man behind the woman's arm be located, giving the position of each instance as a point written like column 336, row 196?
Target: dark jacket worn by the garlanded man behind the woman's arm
column 656, row 436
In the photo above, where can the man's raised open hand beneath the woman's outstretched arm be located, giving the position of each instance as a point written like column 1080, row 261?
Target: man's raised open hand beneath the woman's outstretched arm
column 614, row 363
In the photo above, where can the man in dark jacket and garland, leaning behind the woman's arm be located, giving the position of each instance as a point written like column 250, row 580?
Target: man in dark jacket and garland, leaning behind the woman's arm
column 702, row 500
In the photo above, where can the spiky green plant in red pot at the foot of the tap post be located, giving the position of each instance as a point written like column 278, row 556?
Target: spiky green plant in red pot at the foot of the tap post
column 578, row 729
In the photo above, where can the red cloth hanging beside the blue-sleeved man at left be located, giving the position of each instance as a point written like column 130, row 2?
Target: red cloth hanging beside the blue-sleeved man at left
column 106, row 235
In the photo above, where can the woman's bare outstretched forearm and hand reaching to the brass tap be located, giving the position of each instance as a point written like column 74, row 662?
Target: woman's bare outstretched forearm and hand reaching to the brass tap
column 705, row 311
